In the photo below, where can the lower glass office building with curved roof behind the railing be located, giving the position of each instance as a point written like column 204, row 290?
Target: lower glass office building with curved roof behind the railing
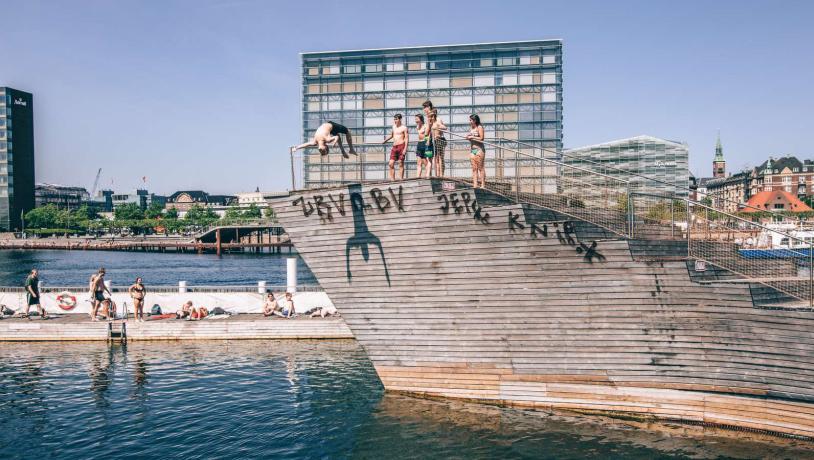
column 660, row 159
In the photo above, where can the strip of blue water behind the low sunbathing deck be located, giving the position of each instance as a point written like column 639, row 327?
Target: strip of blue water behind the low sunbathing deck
column 72, row 268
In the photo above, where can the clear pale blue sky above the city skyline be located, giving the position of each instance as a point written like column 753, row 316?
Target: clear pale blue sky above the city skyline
column 205, row 94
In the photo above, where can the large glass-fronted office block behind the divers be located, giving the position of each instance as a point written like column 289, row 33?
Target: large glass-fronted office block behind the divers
column 516, row 88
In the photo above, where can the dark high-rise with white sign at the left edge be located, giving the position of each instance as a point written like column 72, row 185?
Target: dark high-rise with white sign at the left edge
column 16, row 157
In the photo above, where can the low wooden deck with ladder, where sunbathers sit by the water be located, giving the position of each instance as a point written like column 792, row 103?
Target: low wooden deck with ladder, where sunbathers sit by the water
column 76, row 327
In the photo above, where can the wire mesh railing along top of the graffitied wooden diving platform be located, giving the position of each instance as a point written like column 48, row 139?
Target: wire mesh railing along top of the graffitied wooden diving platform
column 601, row 194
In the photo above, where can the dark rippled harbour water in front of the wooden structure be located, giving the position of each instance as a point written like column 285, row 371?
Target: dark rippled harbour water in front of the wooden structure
column 285, row 399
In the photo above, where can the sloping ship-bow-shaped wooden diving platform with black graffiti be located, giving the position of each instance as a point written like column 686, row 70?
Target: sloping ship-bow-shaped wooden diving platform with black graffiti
column 564, row 297
